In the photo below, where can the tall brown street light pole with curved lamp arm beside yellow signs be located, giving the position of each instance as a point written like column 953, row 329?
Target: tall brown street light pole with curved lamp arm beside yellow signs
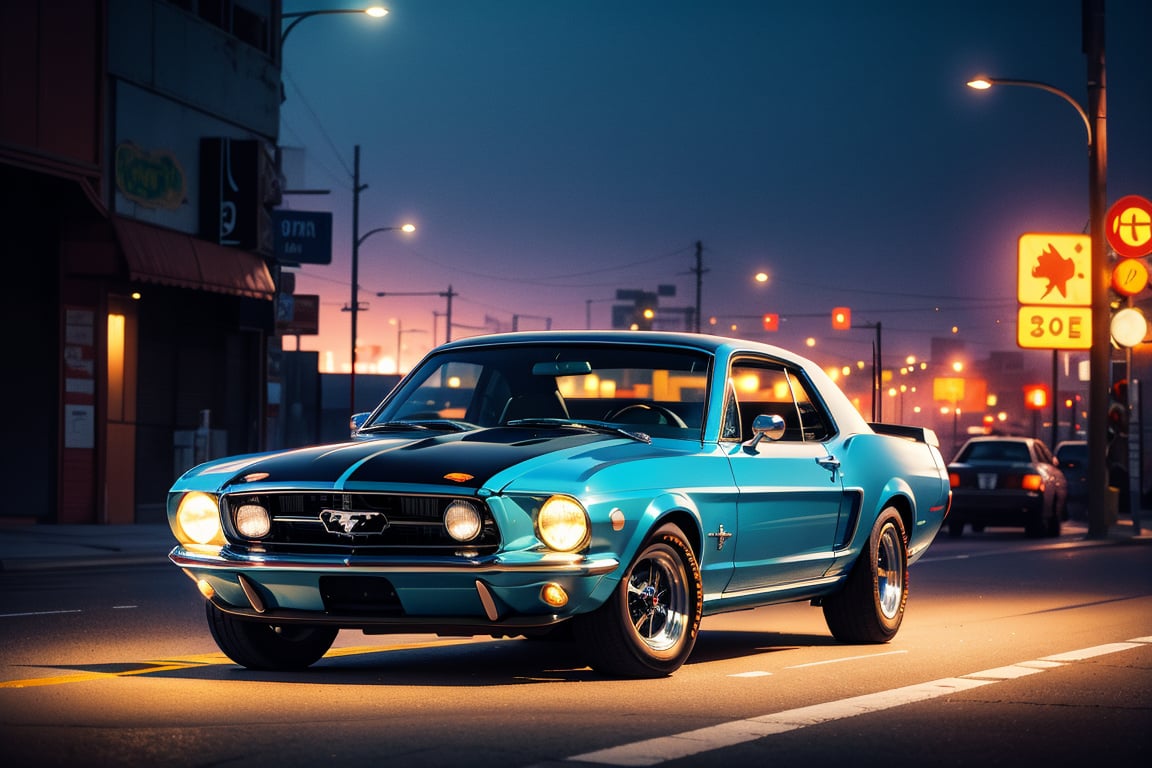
column 1101, row 354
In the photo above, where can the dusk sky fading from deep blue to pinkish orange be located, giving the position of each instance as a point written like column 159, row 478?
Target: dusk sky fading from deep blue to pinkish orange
column 554, row 151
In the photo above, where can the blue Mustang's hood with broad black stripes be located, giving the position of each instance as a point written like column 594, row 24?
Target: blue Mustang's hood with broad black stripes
column 464, row 460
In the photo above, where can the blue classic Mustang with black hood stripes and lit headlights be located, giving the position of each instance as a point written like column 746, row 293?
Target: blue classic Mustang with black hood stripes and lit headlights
column 618, row 486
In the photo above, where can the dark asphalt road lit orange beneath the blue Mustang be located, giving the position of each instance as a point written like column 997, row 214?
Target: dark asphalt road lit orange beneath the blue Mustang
column 1012, row 651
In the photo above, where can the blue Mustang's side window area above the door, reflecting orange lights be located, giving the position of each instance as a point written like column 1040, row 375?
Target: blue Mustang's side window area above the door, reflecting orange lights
column 769, row 387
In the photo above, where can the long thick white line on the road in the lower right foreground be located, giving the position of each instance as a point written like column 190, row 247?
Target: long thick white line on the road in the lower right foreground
column 654, row 752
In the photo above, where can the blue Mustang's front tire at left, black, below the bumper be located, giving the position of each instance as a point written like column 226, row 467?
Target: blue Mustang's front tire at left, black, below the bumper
column 257, row 645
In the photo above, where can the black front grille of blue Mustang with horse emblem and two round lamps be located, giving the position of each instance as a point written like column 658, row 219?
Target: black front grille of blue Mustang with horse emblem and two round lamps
column 354, row 523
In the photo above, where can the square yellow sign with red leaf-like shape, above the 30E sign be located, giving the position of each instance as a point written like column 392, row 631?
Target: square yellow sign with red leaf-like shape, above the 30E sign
column 1055, row 270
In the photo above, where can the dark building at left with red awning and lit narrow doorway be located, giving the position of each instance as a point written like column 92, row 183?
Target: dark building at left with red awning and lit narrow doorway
column 137, row 177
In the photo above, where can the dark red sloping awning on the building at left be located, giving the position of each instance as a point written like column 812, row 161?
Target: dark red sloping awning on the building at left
column 175, row 258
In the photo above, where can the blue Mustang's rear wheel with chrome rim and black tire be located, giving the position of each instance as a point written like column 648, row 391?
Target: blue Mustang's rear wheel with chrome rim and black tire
column 870, row 607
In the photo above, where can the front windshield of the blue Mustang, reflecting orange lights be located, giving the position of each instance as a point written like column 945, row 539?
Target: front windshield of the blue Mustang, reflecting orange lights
column 653, row 390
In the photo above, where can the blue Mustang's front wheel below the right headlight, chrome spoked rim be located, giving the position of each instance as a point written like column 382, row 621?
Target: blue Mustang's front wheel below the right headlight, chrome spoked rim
column 648, row 628
